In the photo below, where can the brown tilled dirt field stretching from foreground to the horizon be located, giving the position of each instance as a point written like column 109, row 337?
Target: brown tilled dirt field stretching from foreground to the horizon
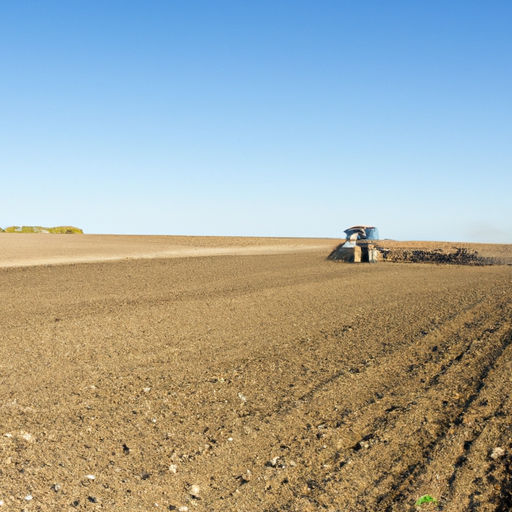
column 272, row 382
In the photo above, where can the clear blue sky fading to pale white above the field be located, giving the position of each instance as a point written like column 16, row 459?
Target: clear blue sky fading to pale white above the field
column 255, row 117
